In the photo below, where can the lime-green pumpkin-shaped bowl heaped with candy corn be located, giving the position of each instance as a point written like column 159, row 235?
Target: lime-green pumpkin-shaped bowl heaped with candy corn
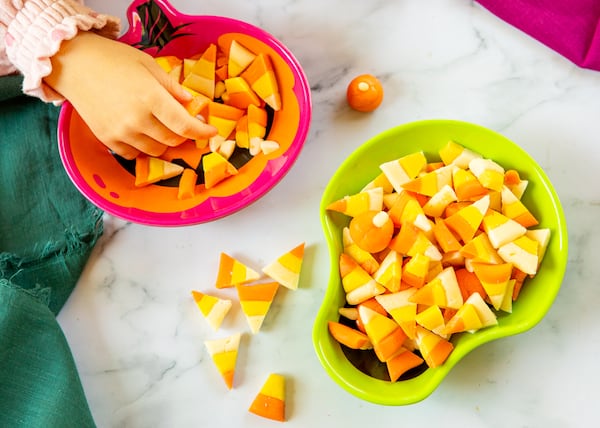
column 351, row 369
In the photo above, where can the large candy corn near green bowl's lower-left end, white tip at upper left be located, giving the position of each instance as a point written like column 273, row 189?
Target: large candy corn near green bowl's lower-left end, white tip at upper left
column 384, row 333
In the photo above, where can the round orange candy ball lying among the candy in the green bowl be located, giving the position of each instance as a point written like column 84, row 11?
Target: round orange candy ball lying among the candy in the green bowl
column 372, row 230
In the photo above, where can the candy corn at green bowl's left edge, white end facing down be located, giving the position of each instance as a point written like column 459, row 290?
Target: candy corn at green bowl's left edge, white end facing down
column 357, row 283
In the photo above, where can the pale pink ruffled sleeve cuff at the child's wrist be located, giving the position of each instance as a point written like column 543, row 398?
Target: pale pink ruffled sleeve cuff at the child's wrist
column 31, row 32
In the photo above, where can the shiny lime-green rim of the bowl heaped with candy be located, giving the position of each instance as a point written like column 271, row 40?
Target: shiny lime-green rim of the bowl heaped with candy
column 411, row 391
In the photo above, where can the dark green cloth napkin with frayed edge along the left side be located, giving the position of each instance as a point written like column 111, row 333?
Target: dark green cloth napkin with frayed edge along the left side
column 47, row 231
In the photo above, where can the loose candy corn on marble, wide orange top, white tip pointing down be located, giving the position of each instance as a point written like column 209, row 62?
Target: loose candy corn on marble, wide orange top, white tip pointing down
column 256, row 300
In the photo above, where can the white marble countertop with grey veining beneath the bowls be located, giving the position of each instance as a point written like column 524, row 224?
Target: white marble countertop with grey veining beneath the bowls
column 137, row 336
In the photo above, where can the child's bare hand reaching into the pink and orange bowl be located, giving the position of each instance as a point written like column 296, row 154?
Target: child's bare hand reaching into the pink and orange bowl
column 126, row 99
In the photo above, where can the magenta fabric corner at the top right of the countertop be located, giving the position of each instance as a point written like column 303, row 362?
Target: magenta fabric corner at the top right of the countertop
column 570, row 27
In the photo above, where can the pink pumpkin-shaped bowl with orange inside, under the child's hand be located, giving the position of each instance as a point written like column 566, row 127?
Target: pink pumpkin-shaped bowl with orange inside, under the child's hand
column 108, row 181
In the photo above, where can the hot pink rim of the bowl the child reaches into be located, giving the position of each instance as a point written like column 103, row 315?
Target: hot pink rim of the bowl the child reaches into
column 228, row 204
